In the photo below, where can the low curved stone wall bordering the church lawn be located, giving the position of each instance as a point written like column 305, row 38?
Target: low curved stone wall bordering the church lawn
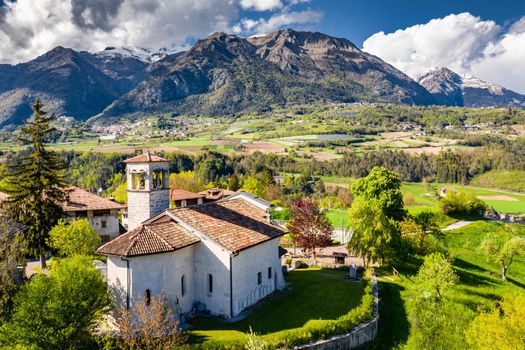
column 362, row 333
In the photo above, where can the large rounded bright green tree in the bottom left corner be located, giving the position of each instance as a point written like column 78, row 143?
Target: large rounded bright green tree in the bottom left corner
column 58, row 311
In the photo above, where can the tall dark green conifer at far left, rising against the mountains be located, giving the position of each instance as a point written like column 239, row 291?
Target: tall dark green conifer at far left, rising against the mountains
column 35, row 184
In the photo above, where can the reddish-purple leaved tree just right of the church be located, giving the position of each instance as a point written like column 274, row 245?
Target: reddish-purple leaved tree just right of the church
column 309, row 227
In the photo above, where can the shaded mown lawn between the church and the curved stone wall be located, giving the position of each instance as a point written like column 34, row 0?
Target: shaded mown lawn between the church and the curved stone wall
column 312, row 294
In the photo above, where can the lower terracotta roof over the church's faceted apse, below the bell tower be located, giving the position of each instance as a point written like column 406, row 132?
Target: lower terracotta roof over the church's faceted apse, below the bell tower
column 150, row 239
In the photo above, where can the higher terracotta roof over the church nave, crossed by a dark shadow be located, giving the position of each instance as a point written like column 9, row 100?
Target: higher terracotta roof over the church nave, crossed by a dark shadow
column 234, row 224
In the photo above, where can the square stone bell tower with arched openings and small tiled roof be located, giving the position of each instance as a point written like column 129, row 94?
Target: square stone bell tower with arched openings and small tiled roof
column 147, row 187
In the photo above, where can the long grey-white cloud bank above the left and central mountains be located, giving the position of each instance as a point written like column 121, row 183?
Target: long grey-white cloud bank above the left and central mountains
column 30, row 28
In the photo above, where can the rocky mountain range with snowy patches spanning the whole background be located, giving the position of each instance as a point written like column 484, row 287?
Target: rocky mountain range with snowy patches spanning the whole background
column 224, row 75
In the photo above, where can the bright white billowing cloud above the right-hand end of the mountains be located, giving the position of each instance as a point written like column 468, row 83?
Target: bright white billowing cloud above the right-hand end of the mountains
column 462, row 42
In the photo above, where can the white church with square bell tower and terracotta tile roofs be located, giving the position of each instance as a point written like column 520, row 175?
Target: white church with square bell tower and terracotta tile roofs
column 215, row 258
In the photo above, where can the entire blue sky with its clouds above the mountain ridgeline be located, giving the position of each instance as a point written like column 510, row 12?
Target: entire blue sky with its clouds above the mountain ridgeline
column 477, row 37
